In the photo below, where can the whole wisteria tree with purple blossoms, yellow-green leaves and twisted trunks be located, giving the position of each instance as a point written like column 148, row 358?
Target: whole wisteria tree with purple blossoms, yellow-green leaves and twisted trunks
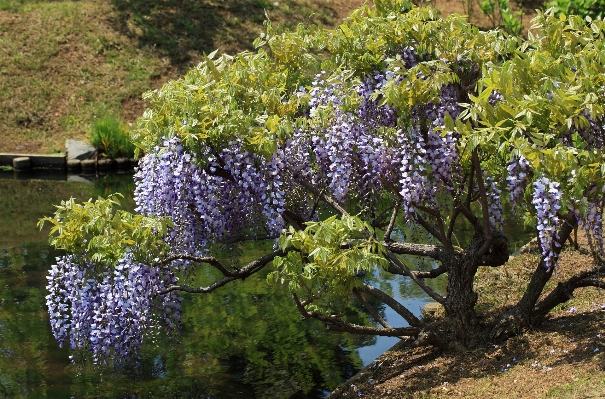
column 330, row 143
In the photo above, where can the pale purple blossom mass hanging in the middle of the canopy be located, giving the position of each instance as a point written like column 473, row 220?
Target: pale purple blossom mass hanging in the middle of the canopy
column 349, row 152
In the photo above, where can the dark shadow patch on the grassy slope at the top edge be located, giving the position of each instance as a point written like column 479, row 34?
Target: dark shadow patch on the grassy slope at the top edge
column 182, row 30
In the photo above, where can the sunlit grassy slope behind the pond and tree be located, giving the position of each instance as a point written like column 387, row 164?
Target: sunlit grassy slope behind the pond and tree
column 65, row 63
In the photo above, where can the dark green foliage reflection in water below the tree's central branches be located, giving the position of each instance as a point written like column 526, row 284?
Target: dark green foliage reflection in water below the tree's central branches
column 279, row 354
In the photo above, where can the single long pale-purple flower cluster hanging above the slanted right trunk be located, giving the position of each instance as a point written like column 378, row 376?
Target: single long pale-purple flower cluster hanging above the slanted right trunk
column 546, row 199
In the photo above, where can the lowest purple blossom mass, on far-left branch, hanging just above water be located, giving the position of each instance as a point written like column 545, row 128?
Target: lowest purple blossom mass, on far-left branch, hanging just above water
column 109, row 312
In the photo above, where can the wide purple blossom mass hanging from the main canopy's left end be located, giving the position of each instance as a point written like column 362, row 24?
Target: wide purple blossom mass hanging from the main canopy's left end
column 234, row 192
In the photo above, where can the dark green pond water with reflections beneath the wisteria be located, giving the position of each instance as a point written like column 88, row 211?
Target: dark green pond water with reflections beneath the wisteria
column 246, row 340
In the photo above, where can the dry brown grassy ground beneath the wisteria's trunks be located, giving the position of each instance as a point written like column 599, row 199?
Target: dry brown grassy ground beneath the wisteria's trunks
column 562, row 358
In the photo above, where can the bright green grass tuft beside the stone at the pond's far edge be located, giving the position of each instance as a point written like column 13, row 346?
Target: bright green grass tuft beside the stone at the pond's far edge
column 110, row 137
